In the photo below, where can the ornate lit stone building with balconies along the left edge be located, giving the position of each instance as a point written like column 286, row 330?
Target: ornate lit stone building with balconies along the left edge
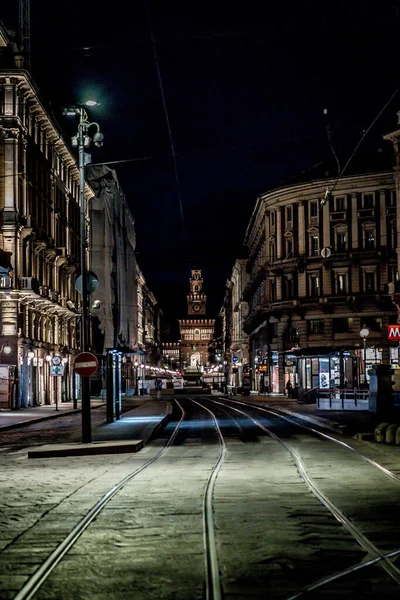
column 39, row 243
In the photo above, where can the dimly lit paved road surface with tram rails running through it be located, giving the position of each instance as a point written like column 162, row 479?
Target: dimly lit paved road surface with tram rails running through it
column 290, row 510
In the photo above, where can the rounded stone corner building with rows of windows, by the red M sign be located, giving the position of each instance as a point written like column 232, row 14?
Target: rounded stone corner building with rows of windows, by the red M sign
column 321, row 256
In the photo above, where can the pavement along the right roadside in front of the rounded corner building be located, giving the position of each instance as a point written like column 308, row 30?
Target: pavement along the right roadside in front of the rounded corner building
column 345, row 422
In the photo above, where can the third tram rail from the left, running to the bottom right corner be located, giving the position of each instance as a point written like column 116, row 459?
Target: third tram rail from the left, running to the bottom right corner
column 392, row 570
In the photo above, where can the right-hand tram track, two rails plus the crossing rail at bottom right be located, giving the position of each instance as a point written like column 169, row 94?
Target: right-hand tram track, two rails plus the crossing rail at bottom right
column 380, row 558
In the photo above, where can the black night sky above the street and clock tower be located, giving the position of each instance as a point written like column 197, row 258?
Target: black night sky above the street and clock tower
column 245, row 87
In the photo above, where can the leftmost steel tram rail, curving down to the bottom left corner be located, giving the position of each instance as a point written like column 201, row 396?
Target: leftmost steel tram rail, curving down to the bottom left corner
column 40, row 576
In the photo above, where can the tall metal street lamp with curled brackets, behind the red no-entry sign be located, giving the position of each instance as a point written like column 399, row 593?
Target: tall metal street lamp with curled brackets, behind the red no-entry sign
column 82, row 141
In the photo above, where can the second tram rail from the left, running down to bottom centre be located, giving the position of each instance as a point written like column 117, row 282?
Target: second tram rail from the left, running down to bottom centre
column 213, row 582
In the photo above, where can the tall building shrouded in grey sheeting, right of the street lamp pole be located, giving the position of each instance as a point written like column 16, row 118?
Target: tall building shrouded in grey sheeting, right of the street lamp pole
column 126, row 323
